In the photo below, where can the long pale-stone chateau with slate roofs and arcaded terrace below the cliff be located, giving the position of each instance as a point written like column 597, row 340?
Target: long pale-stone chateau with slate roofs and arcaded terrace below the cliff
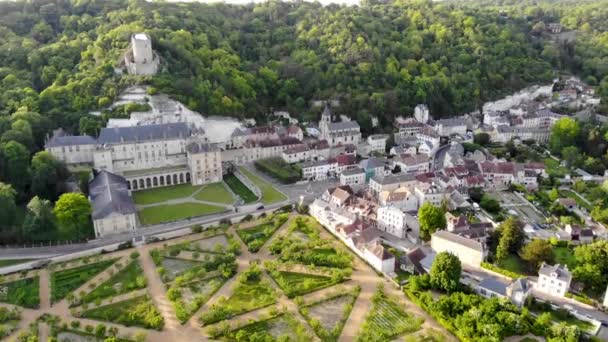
column 147, row 156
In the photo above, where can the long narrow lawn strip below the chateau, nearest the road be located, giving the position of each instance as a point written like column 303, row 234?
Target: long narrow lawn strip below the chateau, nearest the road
column 175, row 212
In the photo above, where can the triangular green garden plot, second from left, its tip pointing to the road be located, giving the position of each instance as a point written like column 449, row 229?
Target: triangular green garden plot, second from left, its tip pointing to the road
column 66, row 281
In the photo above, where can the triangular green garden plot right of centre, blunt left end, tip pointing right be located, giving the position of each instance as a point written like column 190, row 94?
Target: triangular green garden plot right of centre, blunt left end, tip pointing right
column 297, row 284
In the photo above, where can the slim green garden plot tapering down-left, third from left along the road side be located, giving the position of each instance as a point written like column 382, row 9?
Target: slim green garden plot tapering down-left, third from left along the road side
column 129, row 278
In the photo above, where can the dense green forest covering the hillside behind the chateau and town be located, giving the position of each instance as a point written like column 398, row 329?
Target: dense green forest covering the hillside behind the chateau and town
column 58, row 60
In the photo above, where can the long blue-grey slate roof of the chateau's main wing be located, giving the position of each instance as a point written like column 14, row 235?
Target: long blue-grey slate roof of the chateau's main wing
column 144, row 133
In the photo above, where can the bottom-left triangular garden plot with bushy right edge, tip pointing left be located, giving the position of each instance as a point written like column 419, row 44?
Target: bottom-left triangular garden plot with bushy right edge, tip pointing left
column 139, row 311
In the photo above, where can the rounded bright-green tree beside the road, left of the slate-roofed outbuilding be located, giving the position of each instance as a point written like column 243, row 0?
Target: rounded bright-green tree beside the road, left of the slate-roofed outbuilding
column 73, row 212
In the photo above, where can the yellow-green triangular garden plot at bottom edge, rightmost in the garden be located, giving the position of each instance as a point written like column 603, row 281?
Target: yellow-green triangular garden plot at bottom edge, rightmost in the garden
column 388, row 319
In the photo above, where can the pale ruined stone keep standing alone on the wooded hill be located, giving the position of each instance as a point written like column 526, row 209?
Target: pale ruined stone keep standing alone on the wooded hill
column 140, row 59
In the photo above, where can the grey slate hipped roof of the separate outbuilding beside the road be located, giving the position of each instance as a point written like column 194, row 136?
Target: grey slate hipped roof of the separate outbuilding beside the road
column 109, row 194
